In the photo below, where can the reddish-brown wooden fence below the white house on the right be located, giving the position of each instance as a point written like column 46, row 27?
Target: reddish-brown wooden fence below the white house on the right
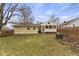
column 70, row 35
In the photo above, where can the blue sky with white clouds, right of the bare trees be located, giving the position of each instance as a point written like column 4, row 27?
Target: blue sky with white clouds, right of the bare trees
column 65, row 11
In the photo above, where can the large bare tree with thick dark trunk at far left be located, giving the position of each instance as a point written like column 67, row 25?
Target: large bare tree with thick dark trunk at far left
column 7, row 11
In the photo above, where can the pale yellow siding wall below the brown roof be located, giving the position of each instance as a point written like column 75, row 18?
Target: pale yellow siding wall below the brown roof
column 24, row 30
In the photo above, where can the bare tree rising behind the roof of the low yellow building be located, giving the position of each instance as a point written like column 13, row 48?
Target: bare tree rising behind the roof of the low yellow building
column 26, row 14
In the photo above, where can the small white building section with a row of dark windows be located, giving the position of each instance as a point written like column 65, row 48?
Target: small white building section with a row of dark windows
column 48, row 27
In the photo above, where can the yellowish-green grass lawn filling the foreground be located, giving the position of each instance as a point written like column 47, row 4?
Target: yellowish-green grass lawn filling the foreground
column 33, row 45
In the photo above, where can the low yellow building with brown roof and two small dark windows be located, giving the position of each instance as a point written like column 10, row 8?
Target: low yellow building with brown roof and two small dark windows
column 28, row 28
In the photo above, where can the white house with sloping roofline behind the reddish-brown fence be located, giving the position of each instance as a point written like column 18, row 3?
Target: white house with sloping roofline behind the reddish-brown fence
column 72, row 23
